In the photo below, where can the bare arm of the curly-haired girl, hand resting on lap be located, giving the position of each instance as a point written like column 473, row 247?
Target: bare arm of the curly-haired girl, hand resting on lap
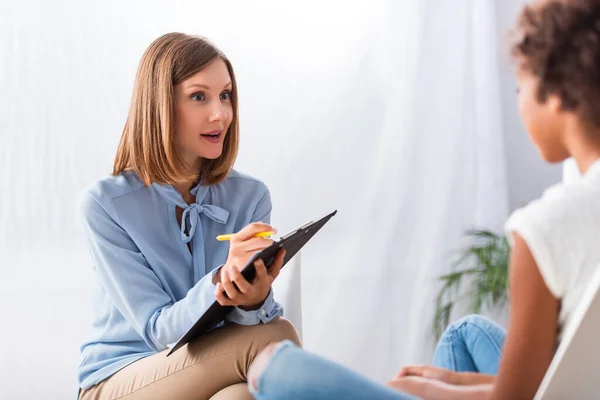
column 528, row 351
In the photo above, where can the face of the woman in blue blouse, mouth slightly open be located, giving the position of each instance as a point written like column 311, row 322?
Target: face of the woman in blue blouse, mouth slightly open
column 203, row 113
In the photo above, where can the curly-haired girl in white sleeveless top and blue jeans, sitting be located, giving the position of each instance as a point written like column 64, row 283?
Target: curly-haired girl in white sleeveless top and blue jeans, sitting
column 554, row 251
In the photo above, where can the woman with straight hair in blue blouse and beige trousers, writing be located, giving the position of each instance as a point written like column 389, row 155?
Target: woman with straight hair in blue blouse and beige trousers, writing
column 151, row 228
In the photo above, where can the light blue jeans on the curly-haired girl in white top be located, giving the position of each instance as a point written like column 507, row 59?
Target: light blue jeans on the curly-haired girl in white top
column 472, row 344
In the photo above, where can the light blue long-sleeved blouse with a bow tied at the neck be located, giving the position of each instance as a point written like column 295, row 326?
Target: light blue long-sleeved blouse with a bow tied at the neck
column 150, row 289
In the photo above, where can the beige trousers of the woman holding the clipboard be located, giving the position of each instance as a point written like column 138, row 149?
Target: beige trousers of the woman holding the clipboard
column 215, row 366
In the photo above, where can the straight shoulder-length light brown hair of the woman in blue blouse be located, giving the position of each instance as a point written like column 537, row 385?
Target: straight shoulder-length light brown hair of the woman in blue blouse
column 147, row 143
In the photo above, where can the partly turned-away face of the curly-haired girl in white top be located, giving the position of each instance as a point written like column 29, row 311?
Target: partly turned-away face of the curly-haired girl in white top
column 545, row 121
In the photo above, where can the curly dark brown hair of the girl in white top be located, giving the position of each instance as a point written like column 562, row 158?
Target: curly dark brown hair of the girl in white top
column 559, row 43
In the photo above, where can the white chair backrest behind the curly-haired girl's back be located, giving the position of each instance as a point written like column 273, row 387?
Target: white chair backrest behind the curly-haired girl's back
column 573, row 373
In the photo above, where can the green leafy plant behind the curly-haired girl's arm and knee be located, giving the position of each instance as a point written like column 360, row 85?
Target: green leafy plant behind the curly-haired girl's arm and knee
column 479, row 277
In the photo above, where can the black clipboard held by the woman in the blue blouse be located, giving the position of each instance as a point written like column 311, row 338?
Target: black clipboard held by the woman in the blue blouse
column 292, row 243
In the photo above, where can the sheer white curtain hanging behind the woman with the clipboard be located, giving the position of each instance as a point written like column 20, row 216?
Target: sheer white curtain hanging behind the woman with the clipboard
column 388, row 111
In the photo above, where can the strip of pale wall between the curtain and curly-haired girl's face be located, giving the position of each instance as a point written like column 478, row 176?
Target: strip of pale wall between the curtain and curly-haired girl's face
column 528, row 175
